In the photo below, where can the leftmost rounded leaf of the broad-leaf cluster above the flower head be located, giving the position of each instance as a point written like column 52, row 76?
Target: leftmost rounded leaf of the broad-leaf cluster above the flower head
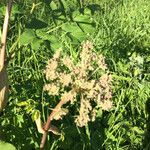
column 27, row 37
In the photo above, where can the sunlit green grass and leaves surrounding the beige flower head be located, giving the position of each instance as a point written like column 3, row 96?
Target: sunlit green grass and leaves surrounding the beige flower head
column 119, row 30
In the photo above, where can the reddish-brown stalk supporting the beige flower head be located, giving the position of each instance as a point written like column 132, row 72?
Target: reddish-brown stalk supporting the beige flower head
column 48, row 123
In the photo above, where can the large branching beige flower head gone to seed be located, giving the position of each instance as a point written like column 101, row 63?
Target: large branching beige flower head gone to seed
column 85, row 83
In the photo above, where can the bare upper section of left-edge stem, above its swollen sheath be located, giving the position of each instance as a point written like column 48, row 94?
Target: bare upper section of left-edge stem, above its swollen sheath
column 4, row 34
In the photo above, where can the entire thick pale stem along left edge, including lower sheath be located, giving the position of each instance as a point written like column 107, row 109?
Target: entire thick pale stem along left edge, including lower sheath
column 3, row 72
